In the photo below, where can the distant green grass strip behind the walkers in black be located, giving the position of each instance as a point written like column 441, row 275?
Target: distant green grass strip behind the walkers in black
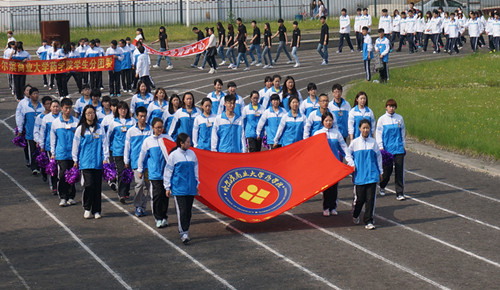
column 176, row 33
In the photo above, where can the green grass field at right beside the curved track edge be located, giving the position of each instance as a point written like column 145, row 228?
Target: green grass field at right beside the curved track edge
column 454, row 103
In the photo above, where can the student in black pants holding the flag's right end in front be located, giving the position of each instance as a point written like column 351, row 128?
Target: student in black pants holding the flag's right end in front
column 367, row 163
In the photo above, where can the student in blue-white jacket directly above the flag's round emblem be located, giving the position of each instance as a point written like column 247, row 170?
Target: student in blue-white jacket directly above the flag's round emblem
column 251, row 114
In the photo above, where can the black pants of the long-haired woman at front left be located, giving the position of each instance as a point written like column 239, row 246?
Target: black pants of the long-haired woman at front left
column 92, row 183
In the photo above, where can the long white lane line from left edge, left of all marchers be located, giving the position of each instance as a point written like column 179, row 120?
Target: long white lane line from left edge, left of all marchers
column 73, row 235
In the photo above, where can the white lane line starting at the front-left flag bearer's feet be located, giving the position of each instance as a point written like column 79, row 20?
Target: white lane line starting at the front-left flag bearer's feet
column 274, row 252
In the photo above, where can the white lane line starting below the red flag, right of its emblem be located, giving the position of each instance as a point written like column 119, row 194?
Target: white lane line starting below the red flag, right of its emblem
column 365, row 250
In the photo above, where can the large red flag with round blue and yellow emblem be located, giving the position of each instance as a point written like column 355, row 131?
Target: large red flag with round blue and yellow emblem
column 255, row 187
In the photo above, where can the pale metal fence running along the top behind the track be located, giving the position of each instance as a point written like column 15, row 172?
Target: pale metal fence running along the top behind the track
column 123, row 13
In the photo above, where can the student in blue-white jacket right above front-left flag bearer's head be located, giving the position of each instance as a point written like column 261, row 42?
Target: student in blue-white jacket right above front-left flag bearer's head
column 202, row 126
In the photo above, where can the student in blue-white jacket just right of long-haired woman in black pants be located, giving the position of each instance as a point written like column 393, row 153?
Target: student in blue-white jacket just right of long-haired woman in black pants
column 117, row 132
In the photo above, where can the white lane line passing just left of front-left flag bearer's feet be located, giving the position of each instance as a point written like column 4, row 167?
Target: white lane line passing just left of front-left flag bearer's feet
column 171, row 244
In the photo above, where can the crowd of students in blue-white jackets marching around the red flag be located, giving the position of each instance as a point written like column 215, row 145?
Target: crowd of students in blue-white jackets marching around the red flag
column 95, row 131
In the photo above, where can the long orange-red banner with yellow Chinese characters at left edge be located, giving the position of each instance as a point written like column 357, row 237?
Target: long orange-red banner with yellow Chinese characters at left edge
column 56, row 66
